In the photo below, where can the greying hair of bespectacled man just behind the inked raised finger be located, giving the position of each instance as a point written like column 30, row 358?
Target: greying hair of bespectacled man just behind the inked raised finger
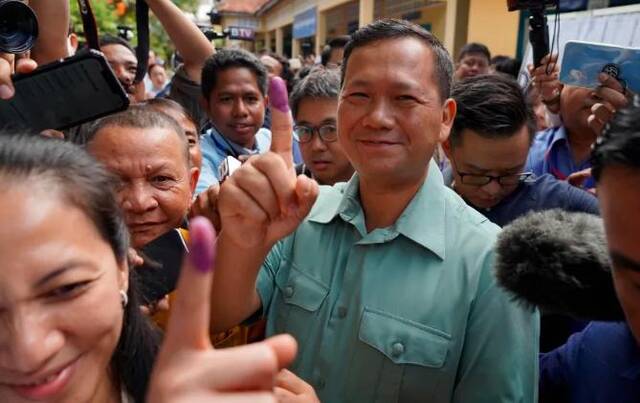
column 320, row 83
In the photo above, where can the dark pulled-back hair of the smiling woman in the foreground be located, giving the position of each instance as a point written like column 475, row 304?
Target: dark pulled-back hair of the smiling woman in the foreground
column 85, row 184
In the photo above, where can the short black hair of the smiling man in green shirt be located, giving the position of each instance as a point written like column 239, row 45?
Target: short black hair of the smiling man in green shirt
column 396, row 29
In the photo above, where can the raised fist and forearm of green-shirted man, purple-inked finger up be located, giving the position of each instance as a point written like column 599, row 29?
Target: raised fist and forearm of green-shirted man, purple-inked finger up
column 261, row 203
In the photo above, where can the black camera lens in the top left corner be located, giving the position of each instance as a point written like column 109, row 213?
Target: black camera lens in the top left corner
column 18, row 26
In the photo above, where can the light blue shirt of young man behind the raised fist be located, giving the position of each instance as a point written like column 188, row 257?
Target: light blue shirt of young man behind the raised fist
column 215, row 148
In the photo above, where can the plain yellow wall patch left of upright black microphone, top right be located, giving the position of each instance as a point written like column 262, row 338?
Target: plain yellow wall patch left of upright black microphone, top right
column 490, row 23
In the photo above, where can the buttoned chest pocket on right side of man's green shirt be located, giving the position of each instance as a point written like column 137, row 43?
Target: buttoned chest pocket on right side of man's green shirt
column 397, row 359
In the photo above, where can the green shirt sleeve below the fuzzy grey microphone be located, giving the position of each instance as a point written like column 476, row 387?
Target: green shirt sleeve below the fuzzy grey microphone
column 499, row 361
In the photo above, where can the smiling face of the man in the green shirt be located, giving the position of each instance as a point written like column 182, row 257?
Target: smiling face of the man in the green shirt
column 391, row 116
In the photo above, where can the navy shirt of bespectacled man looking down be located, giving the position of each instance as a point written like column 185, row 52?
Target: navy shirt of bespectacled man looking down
column 538, row 194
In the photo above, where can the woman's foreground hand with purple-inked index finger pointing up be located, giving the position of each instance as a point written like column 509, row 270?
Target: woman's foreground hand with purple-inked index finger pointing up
column 188, row 369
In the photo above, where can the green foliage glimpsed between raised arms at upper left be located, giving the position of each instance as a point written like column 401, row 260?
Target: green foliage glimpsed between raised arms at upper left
column 108, row 21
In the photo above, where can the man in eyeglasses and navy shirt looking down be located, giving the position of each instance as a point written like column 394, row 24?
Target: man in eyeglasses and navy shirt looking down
column 488, row 148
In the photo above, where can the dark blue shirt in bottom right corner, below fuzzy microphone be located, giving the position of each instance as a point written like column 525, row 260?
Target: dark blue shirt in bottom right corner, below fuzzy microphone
column 601, row 364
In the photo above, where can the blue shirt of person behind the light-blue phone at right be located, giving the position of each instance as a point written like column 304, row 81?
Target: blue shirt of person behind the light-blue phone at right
column 550, row 153
